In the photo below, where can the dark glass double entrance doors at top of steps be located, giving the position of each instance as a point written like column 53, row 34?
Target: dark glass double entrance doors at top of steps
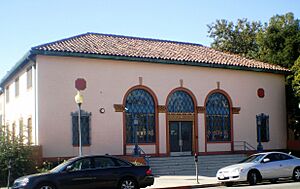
column 181, row 137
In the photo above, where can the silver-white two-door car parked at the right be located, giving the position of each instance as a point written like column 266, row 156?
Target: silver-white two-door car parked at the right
column 262, row 166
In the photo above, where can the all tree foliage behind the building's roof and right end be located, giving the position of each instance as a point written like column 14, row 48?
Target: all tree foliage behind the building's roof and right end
column 276, row 42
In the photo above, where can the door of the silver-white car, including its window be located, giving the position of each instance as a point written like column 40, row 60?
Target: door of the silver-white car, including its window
column 270, row 166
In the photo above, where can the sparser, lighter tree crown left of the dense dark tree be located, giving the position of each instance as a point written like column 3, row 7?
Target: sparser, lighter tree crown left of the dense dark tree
column 239, row 38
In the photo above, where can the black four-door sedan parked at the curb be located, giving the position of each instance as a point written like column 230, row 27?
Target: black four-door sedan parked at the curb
column 90, row 172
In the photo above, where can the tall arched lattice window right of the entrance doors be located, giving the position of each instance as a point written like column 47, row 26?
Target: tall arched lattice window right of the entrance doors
column 218, row 123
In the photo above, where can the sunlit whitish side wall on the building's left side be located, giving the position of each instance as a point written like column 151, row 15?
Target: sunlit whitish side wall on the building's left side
column 19, row 107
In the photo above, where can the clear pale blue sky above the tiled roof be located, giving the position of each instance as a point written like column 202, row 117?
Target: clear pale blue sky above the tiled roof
column 27, row 23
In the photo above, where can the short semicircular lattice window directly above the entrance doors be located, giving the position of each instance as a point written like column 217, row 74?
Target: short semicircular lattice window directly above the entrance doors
column 180, row 102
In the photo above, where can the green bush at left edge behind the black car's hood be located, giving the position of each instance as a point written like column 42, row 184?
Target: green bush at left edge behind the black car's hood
column 13, row 150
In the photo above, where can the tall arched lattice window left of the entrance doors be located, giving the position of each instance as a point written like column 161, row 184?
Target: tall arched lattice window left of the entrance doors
column 140, row 117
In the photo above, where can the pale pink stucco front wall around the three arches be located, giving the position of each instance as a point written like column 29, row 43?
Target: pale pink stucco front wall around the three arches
column 108, row 81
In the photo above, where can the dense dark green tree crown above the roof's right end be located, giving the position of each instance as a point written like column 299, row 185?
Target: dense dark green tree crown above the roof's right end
column 279, row 40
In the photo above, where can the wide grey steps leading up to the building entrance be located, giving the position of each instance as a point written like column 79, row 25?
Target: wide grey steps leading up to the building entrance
column 185, row 165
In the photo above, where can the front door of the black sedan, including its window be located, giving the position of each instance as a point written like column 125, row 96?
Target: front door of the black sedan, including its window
column 77, row 175
